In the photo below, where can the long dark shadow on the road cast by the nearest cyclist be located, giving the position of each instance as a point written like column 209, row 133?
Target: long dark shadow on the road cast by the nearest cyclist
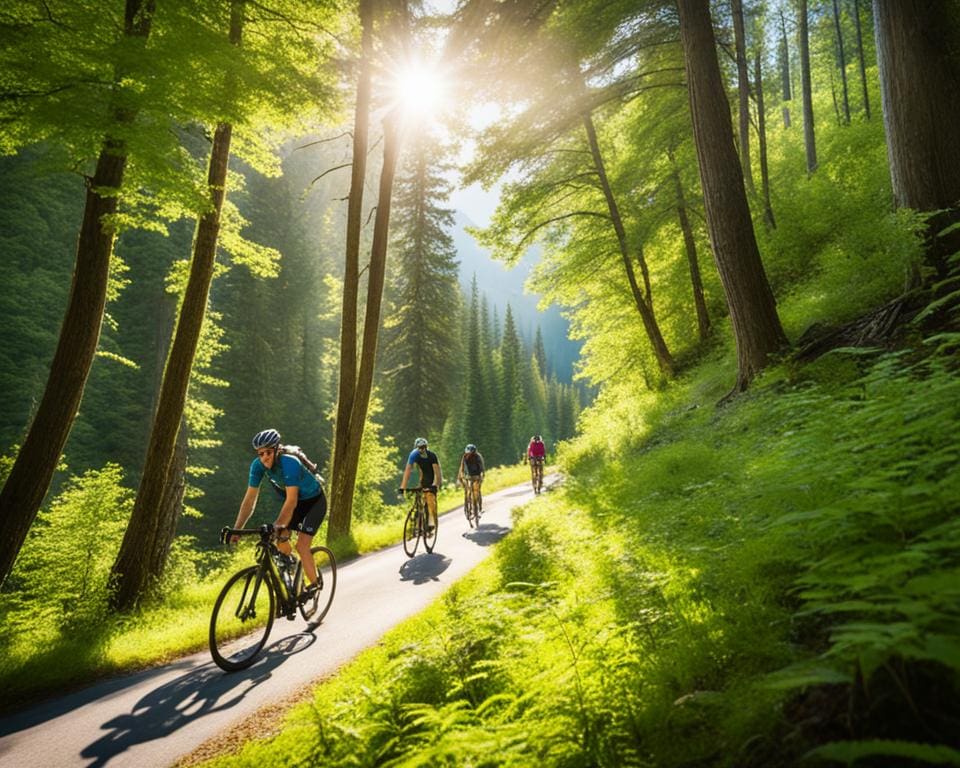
column 202, row 691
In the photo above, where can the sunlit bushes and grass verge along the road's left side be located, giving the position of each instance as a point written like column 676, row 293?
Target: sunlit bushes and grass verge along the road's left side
column 56, row 629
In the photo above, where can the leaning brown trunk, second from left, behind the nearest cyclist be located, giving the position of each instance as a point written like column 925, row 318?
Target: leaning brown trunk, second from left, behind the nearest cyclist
column 146, row 542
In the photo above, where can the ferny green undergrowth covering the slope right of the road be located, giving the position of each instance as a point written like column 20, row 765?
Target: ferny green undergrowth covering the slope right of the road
column 770, row 583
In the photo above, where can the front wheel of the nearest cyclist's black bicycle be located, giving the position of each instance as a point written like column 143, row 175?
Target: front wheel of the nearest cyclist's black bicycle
column 242, row 619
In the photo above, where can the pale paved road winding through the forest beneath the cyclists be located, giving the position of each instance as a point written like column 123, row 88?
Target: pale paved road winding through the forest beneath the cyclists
column 152, row 718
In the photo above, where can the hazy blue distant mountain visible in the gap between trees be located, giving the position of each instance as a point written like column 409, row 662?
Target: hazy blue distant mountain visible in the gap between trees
column 504, row 286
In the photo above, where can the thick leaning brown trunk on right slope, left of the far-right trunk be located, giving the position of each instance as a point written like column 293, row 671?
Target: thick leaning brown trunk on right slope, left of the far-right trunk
column 753, row 312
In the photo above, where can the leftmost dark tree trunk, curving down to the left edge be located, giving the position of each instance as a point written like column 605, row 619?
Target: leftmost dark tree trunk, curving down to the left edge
column 36, row 462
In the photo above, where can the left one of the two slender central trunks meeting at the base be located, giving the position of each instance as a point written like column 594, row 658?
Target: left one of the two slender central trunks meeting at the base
column 342, row 477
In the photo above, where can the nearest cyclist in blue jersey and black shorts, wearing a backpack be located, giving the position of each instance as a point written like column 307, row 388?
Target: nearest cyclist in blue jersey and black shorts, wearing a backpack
column 304, row 504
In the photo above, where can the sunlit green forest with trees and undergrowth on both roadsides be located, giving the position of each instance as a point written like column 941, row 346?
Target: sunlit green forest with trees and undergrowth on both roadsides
column 226, row 215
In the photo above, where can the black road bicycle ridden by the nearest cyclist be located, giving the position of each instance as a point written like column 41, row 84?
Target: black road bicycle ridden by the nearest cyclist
column 253, row 597
